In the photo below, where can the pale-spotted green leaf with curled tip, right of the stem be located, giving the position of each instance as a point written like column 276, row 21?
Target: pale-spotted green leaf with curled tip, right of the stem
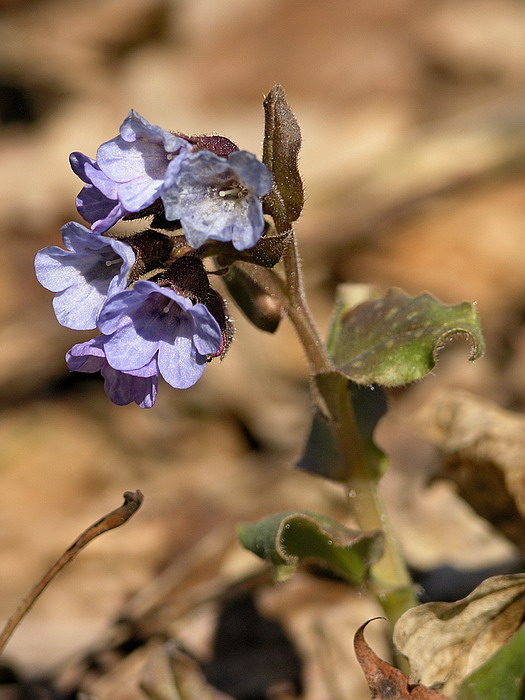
column 395, row 339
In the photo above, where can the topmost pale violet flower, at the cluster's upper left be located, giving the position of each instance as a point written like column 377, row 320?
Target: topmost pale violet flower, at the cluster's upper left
column 128, row 172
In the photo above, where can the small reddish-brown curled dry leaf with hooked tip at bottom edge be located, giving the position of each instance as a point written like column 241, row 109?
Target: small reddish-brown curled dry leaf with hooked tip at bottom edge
column 386, row 682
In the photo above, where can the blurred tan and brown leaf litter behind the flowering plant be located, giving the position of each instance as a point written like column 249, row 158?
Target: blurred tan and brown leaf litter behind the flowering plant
column 413, row 122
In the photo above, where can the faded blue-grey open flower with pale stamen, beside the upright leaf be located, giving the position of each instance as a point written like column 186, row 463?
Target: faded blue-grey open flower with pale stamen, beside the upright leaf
column 218, row 198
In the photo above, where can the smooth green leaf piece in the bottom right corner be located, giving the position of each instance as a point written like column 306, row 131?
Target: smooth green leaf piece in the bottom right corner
column 502, row 677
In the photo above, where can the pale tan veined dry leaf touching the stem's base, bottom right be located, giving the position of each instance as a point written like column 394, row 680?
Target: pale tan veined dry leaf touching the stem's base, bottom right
column 445, row 642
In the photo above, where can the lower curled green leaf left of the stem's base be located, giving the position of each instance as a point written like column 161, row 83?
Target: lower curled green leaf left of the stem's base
column 289, row 539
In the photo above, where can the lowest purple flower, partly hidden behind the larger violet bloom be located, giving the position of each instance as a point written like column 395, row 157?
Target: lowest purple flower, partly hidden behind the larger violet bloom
column 122, row 388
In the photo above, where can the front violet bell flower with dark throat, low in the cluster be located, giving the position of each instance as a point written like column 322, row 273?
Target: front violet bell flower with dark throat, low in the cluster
column 150, row 321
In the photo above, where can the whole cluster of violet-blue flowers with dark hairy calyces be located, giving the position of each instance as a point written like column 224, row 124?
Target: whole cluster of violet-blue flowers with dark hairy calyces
column 149, row 293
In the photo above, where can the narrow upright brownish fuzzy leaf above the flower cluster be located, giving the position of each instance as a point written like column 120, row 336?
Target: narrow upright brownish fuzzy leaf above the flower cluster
column 282, row 141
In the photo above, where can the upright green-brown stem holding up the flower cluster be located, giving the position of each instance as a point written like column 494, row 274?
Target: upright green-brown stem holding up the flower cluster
column 390, row 580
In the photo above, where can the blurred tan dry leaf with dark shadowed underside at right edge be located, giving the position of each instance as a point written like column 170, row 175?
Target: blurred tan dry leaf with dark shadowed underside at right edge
column 484, row 449
